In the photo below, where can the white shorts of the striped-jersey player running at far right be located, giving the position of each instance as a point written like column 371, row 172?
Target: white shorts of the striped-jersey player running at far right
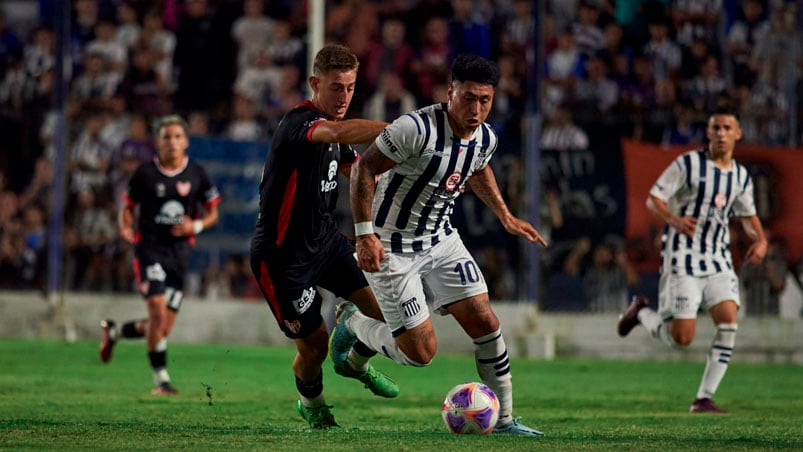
column 681, row 296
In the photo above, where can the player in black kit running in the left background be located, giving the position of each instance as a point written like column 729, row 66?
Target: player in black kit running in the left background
column 168, row 191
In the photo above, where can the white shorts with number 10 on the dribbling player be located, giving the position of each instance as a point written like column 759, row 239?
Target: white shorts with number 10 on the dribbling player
column 407, row 284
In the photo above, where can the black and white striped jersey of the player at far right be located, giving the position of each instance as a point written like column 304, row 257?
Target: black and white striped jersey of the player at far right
column 693, row 186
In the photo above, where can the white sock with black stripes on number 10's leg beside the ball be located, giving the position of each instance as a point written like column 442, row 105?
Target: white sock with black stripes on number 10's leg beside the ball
column 493, row 366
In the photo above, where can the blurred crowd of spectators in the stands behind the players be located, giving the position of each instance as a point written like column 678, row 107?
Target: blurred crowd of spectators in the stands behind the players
column 650, row 70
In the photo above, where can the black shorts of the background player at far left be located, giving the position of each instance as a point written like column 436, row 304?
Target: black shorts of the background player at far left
column 160, row 270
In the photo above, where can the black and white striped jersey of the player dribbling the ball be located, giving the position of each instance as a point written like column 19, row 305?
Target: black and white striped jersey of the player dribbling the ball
column 415, row 198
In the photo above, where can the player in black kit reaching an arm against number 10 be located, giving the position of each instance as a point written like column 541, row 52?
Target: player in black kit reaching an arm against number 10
column 297, row 245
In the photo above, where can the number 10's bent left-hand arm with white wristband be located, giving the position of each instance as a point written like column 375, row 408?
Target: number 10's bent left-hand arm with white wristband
column 362, row 185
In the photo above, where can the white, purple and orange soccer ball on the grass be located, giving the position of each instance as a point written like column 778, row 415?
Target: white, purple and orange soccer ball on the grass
column 470, row 408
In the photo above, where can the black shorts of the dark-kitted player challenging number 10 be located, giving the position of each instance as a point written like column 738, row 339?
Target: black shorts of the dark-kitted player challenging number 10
column 292, row 295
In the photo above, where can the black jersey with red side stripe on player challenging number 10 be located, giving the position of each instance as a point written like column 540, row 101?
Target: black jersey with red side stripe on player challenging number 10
column 298, row 191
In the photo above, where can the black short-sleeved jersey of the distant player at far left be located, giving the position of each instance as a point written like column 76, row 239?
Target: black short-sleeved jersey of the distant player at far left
column 165, row 195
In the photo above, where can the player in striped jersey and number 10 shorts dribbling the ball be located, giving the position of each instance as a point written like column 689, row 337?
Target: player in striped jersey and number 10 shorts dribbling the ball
column 402, row 193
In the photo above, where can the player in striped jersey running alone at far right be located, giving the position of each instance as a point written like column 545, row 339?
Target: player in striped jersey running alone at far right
column 696, row 196
